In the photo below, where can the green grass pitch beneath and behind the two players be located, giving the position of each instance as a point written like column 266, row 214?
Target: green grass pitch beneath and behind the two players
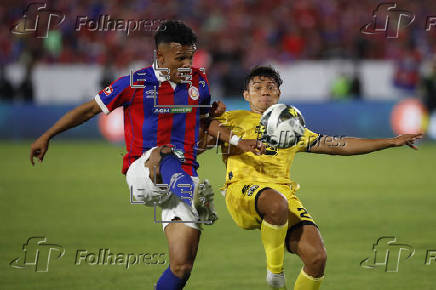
column 78, row 199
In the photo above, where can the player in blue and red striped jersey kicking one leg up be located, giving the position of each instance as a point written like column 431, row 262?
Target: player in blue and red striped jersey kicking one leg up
column 166, row 109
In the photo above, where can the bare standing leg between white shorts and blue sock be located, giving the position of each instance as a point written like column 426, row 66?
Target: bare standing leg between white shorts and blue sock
column 182, row 243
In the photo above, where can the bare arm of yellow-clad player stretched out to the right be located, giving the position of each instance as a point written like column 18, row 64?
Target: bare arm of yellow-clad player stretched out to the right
column 356, row 146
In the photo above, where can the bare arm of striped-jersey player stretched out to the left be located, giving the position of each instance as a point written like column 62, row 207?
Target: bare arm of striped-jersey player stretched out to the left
column 73, row 118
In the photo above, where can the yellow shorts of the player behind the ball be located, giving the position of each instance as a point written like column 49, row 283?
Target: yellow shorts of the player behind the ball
column 241, row 198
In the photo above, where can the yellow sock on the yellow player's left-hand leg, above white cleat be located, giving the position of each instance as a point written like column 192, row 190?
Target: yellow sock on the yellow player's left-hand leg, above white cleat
column 273, row 239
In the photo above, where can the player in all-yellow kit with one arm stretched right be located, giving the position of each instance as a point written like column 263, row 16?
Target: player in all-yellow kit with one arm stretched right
column 259, row 191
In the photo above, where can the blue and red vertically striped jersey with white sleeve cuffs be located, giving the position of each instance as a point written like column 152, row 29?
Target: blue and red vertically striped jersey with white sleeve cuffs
column 158, row 112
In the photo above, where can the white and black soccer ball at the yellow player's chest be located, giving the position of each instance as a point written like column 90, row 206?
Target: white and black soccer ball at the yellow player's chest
column 281, row 126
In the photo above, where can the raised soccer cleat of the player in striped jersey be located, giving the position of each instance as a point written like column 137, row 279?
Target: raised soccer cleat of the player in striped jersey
column 203, row 202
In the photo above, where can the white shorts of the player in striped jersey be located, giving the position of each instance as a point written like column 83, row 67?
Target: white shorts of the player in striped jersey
column 144, row 190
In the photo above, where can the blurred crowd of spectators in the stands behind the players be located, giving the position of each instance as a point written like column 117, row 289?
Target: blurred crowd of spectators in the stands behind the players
column 234, row 35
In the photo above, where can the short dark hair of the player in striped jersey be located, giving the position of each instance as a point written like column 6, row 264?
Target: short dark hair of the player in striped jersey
column 175, row 31
